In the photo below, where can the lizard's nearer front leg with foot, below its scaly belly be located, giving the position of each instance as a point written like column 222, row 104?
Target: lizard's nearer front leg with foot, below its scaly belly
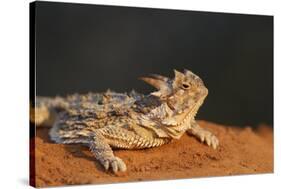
column 104, row 153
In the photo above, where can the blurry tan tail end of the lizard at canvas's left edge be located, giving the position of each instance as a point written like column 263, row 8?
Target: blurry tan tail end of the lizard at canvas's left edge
column 43, row 112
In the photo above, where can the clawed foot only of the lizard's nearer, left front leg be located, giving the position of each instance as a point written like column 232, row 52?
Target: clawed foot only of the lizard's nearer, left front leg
column 114, row 163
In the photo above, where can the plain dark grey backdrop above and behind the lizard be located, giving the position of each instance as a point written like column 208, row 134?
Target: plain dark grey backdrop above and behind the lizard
column 81, row 48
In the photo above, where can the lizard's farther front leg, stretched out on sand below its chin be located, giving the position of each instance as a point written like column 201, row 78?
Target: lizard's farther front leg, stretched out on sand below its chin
column 203, row 134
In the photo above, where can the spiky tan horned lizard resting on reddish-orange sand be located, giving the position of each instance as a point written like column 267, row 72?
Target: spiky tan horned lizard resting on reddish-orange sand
column 129, row 121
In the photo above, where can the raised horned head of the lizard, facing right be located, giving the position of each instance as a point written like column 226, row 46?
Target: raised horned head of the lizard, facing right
column 183, row 94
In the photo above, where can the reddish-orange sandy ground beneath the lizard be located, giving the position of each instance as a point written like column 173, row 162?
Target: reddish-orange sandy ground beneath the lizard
column 241, row 151
